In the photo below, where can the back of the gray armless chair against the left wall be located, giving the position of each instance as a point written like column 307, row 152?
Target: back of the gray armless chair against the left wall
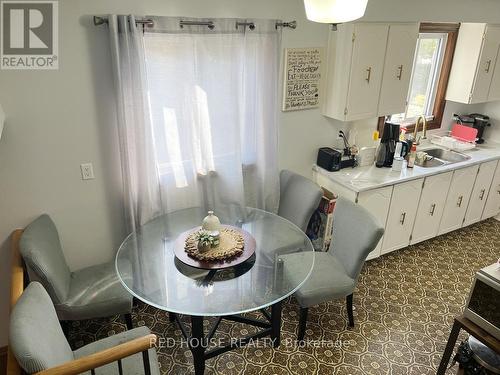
column 42, row 252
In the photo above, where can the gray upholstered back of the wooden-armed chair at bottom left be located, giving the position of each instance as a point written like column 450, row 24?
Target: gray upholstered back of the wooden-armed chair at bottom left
column 35, row 335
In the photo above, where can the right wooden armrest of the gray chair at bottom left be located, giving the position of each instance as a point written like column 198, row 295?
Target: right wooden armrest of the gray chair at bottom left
column 103, row 357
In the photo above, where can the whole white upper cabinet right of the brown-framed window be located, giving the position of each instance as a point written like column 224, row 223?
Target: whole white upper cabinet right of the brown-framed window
column 475, row 74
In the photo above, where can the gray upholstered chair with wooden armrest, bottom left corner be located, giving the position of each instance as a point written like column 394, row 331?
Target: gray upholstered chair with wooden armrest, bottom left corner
column 38, row 343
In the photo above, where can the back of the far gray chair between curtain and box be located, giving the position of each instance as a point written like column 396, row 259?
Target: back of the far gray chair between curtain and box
column 299, row 197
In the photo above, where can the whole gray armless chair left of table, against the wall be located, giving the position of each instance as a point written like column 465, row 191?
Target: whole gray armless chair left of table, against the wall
column 92, row 292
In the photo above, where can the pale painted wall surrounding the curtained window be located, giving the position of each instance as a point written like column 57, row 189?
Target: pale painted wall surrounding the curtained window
column 59, row 119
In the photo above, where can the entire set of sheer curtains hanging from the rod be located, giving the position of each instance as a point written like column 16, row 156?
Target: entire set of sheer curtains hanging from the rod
column 209, row 98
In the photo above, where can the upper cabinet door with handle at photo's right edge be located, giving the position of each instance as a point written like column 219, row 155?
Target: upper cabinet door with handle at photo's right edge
column 486, row 65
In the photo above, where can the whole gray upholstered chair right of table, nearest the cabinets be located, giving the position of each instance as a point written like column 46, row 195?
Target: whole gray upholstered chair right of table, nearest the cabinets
column 355, row 234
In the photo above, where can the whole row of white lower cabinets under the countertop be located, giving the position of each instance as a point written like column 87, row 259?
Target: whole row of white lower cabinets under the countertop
column 417, row 210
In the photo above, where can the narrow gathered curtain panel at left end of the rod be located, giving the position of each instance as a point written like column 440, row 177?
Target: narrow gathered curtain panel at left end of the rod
column 141, row 183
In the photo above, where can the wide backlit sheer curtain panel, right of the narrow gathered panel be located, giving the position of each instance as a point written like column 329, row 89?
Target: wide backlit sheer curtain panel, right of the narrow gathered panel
column 213, row 99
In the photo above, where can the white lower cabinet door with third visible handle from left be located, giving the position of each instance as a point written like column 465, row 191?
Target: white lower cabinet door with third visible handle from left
column 458, row 199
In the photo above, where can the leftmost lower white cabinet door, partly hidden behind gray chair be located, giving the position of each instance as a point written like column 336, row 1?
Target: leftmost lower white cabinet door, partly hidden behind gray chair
column 377, row 202
